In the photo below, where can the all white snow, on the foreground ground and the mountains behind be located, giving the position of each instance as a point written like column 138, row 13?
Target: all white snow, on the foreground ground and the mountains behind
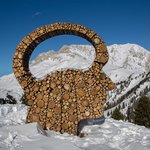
column 125, row 60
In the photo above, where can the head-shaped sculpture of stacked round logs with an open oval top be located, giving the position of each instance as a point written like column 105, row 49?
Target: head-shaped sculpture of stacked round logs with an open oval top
column 63, row 98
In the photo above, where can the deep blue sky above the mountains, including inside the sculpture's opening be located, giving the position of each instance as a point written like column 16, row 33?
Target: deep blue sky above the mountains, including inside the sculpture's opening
column 115, row 21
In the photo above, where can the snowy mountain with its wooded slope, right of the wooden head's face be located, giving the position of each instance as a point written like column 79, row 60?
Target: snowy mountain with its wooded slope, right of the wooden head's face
column 132, row 78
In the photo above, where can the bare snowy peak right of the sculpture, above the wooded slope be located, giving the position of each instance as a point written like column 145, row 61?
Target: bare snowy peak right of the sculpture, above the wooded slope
column 126, row 60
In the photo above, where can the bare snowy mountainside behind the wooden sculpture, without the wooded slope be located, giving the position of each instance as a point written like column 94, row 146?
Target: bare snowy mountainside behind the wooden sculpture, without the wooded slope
column 125, row 60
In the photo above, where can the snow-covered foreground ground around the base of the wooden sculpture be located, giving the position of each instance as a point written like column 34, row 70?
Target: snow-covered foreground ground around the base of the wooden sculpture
column 112, row 135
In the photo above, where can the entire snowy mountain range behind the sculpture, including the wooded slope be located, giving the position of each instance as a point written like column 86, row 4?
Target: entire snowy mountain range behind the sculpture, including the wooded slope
column 128, row 67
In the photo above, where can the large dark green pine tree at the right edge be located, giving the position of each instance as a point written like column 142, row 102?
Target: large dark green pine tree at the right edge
column 142, row 112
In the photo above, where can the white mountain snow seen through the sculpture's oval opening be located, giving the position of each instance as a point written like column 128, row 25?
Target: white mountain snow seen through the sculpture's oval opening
column 67, row 57
